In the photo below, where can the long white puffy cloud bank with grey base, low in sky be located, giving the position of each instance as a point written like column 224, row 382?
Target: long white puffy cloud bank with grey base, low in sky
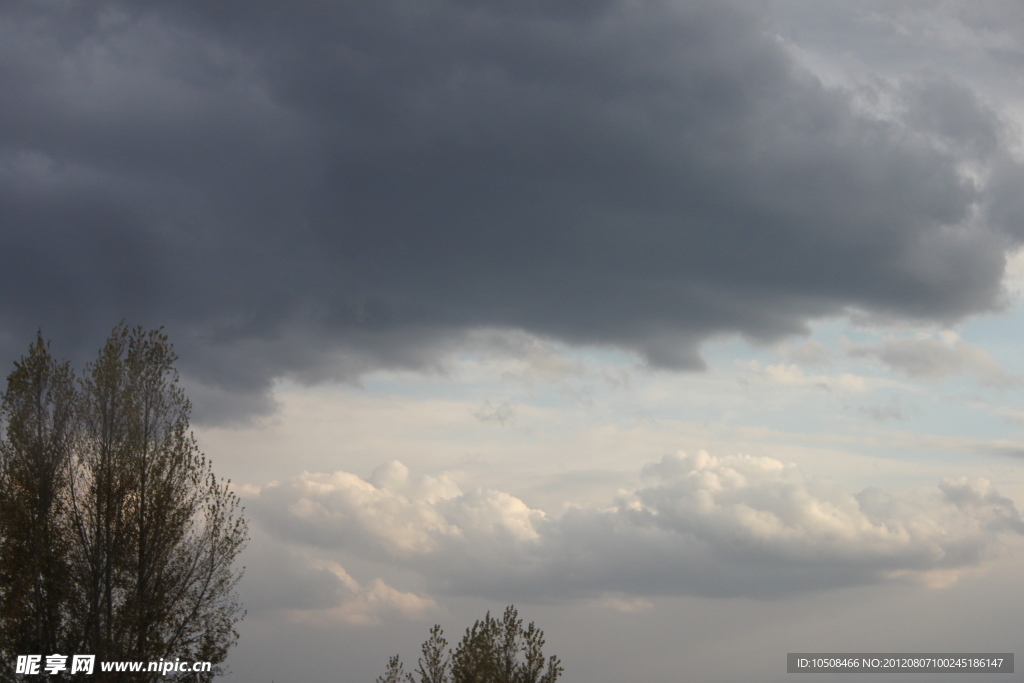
column 699, row 525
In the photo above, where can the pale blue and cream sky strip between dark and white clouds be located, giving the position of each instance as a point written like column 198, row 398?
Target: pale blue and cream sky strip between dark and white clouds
column 575, row 410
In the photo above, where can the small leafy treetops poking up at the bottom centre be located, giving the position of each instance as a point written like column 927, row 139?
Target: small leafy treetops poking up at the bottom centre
column 491, row 652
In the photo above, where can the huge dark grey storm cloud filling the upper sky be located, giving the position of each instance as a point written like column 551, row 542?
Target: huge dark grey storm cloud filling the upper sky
column 313, row 189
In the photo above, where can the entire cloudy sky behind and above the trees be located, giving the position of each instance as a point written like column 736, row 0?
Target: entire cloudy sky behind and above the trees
column 691, row 328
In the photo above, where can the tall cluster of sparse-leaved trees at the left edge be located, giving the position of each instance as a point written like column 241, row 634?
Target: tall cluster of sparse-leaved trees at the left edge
column 116, row 538
